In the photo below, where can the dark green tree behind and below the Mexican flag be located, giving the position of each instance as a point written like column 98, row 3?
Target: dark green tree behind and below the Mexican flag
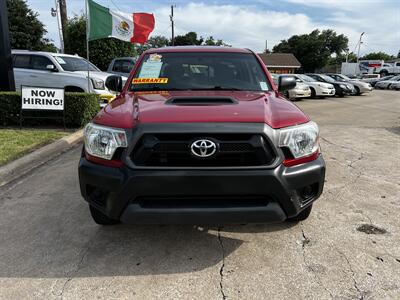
column 101, row 51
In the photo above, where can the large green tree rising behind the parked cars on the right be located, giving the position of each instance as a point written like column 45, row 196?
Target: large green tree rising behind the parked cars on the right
column 314, row 50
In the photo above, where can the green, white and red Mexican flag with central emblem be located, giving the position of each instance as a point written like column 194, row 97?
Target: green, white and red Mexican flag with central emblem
column 103, row 23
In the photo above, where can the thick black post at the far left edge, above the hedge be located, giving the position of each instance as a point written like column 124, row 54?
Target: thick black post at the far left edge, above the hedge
column 6, row 70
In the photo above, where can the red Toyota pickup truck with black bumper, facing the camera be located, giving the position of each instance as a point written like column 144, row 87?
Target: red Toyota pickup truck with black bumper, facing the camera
column 200, row 135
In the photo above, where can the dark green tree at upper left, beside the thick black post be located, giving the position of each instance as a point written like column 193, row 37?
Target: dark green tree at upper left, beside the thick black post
column 26, row 31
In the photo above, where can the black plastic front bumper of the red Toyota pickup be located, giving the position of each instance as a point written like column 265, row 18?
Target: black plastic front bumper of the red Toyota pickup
column 138, row 196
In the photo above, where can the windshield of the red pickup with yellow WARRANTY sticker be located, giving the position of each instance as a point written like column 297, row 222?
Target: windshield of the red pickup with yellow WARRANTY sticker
column 200, row 71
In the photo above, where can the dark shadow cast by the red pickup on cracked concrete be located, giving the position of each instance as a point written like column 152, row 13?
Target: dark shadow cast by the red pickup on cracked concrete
column 121, row 250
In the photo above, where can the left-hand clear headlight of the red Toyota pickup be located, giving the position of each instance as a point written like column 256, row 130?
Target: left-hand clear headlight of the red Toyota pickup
column 101, row 141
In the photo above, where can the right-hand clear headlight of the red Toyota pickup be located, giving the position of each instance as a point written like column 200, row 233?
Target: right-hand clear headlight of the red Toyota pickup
column 301, row 140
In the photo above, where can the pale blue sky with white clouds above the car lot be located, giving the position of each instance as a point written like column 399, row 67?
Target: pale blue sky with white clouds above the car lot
column 250, row 23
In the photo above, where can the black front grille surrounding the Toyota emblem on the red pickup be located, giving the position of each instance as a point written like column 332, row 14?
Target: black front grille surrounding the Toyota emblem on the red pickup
column 173, row 150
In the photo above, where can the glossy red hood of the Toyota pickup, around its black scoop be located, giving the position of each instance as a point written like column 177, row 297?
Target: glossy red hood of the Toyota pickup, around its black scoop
column 130, row 109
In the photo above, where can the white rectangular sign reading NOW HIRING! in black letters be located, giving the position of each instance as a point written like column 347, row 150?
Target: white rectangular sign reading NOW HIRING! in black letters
column 42, row 98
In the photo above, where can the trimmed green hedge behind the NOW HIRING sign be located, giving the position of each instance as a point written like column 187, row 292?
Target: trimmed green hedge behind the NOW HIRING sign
column 80, row 108
